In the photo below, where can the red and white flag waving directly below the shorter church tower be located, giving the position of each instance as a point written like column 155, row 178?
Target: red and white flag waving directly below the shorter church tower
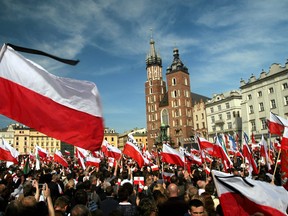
column 172, row 156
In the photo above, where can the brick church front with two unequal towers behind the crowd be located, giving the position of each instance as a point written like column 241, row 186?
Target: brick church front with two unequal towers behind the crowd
column 171, row 109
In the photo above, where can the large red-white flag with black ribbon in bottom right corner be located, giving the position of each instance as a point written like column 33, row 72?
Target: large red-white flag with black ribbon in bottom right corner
column 247, row 196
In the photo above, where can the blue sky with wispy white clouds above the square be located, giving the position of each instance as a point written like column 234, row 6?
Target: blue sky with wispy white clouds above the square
column 219, row 41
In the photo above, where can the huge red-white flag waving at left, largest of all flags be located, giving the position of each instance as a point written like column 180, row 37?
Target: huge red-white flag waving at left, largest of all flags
column 63, row 108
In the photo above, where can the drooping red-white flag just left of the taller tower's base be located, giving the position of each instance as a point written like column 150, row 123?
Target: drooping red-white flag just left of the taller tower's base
column 131, row 150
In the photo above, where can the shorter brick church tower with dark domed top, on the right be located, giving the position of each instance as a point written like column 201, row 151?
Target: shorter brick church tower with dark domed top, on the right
column 179, row 101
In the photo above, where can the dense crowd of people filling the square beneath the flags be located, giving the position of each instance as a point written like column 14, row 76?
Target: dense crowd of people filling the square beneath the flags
column 111, row 190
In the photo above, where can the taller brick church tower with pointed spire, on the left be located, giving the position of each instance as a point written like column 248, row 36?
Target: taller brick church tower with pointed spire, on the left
column 155, row 89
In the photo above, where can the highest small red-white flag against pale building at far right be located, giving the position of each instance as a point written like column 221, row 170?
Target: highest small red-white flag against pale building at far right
column 276, row 124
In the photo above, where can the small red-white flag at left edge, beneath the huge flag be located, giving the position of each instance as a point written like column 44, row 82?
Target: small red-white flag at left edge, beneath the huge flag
column 7, row 152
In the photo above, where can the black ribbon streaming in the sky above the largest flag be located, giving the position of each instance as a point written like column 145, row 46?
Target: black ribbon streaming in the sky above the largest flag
column 38, row 52
